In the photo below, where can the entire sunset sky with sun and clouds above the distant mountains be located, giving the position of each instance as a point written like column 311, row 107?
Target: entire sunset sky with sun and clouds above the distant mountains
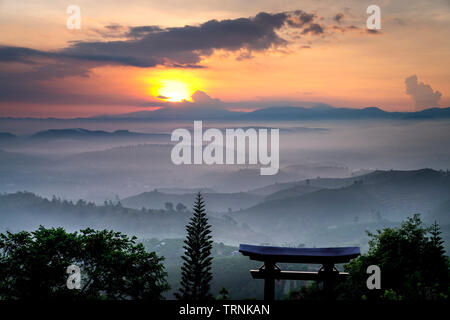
column 136, row 55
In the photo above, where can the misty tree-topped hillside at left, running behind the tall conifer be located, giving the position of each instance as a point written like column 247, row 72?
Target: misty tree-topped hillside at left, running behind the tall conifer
column 27, row 211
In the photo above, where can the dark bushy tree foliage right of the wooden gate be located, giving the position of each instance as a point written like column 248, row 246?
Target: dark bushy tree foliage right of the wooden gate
column 412, row 262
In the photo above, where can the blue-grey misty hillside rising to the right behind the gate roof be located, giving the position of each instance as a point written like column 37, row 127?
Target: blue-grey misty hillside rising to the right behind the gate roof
column 391, row 195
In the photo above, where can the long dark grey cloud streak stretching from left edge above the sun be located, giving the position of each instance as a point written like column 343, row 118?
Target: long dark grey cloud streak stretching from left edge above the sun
column 148, row 46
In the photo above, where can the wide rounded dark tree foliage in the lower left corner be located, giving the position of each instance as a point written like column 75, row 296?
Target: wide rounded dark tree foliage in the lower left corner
column 113, row 266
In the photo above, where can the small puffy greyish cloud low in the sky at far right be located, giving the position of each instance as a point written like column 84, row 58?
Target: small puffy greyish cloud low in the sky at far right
column 423, row 94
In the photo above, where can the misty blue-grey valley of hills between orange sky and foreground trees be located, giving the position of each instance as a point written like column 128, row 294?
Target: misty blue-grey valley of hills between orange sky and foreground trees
column 334, row 184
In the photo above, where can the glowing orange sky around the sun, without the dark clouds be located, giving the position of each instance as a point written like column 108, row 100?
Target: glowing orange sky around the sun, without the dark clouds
column 350, row 69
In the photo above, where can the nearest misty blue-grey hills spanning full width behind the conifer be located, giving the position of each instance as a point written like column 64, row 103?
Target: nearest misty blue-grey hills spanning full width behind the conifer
column 318, row 211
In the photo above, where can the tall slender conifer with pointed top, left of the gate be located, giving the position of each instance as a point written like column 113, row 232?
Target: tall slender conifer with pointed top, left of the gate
column 196, row 269
